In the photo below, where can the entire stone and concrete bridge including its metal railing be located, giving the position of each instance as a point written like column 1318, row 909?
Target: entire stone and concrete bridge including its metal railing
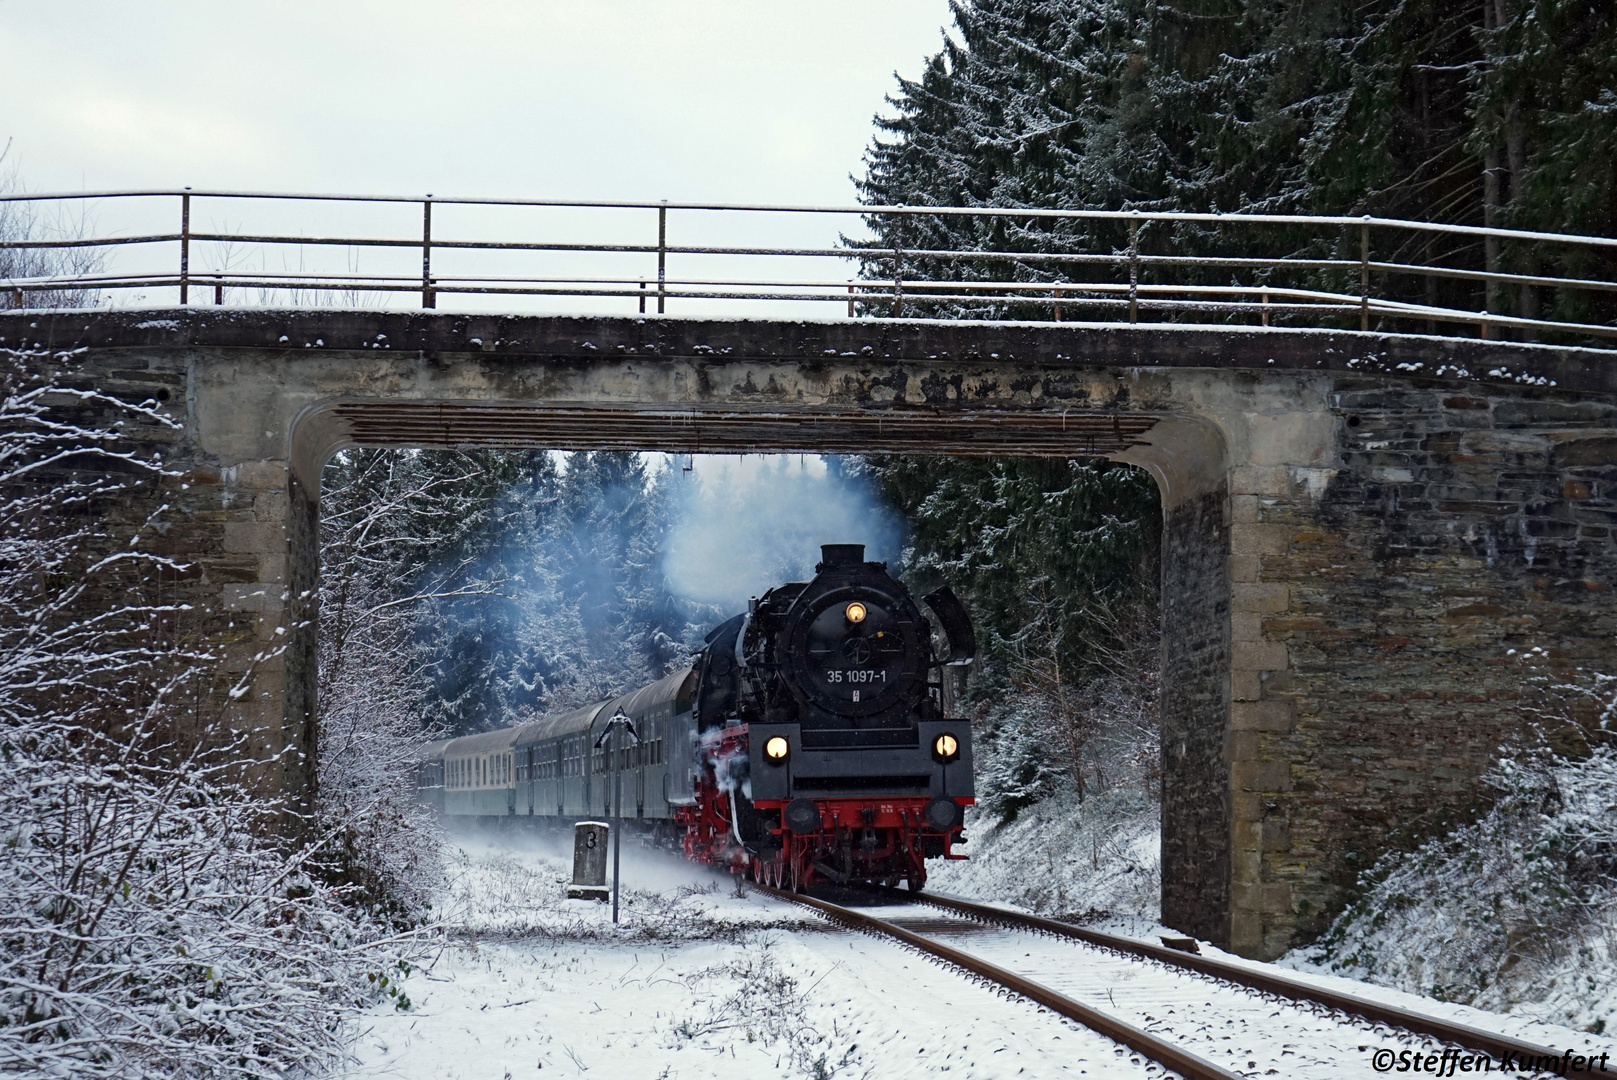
column 1375, row 541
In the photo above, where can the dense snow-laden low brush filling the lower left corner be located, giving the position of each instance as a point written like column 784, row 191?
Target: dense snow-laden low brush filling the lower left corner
column 153, row 930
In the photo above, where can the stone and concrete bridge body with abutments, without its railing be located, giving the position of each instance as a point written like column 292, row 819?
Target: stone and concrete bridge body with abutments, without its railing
column 1364, row 534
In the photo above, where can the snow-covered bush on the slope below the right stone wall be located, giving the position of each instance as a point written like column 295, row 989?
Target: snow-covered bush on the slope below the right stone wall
column 1516, row 911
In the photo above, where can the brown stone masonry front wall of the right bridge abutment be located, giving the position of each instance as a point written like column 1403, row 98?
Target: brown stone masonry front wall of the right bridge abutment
column 1380, row 626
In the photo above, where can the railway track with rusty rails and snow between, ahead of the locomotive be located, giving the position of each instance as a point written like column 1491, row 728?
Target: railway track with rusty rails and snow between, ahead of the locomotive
column 1175, row 1013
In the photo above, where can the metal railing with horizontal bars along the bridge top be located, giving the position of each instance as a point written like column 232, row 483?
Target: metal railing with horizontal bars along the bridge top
column 1285, row 271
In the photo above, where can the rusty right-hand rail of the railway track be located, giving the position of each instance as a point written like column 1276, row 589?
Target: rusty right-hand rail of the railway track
column 1459, row 1034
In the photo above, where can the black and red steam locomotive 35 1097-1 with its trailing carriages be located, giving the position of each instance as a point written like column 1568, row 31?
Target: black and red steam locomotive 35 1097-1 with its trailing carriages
column 811, row 740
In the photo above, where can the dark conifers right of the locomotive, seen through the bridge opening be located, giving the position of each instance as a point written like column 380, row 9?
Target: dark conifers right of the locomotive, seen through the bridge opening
column 1057, row 562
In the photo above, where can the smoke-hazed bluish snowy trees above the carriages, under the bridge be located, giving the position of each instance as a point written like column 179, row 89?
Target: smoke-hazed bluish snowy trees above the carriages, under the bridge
column 530, row 583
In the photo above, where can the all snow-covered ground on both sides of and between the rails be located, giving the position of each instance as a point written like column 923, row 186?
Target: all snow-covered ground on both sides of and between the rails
column 704, row 981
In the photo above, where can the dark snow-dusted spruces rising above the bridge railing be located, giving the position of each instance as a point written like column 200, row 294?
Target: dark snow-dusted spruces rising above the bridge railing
column 1493, row 114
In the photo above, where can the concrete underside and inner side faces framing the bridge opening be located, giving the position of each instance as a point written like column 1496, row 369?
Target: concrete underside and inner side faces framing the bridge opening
column 1184, row 455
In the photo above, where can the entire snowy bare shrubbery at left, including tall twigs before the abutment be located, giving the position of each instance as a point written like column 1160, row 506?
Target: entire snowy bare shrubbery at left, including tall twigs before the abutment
column 151, row 926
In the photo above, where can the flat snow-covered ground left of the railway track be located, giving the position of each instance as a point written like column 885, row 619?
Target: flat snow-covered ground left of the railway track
column 696, row 982
